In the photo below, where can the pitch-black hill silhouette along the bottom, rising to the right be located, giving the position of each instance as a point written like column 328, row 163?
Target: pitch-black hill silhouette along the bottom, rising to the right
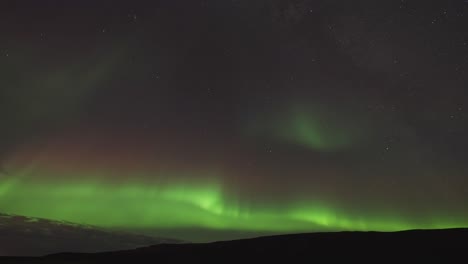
column 442, row 246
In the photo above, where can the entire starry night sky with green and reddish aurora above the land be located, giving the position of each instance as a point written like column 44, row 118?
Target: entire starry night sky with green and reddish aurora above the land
column 235, row 116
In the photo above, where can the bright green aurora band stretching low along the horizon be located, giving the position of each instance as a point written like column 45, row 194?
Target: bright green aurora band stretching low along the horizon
column 183, row 205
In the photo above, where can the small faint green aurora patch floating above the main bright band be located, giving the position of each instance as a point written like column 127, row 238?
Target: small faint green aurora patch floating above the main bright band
column 315, row 127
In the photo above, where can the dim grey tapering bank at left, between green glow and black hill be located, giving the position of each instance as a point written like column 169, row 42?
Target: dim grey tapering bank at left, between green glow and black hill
column 27, row 236
